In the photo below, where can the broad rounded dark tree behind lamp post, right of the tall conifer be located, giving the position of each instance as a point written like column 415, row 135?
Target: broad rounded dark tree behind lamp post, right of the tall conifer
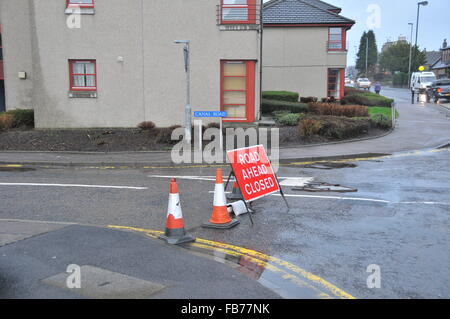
column 396, row 58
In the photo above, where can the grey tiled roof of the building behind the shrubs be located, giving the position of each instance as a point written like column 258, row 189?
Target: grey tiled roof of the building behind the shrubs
column 300, row 12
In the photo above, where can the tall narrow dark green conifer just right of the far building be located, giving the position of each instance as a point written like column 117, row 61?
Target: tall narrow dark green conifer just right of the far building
column 371, row 54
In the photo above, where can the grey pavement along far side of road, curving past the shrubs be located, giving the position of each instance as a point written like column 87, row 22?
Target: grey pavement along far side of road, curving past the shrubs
column 418, row 127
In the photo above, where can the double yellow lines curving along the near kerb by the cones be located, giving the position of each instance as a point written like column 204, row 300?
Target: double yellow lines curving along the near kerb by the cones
column 248, row 252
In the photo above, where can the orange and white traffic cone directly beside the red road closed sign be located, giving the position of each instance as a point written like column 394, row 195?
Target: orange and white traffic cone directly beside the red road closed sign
column 220, row 218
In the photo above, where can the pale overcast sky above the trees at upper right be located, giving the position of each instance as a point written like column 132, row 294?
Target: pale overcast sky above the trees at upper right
column 434, row 24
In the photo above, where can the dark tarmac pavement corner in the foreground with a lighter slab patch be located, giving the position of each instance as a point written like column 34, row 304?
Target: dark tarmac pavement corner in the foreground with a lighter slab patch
column 34, row 257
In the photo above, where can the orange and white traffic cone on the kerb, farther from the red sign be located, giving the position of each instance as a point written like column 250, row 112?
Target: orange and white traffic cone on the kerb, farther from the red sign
column 175, row 233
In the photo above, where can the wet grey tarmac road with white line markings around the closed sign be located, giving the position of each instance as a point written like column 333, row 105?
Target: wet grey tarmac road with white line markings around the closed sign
column 399, row 218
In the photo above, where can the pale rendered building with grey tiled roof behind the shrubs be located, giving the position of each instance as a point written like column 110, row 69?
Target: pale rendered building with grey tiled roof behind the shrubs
column 304, row 47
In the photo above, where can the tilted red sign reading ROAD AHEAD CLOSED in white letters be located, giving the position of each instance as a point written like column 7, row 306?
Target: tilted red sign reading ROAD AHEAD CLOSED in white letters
column 253, row 172
